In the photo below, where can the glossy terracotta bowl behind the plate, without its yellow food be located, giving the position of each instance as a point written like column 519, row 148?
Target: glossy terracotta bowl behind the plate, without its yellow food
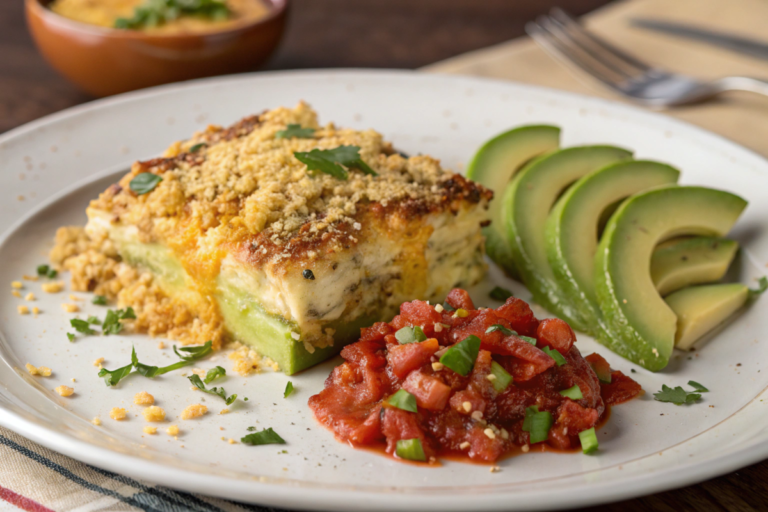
column 105, row 61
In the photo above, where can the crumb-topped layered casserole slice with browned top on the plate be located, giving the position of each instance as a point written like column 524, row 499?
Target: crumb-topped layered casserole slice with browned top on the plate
column 231, row 235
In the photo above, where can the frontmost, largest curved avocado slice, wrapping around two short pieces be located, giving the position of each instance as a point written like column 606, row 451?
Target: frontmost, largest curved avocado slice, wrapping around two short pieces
column 642, row 326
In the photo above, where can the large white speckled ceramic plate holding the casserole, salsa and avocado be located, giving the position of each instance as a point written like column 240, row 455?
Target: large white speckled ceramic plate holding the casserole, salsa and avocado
column 52, row 167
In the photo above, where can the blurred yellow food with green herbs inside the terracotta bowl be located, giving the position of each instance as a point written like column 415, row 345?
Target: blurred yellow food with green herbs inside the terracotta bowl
column 163, row 16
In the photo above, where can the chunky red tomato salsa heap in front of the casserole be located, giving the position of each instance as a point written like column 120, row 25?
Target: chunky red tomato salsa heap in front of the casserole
column 467, row 414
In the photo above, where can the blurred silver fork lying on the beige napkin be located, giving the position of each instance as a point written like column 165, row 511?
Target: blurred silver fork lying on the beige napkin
column 564, row 38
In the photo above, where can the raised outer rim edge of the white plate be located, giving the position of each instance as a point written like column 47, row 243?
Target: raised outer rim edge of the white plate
column 337, row 497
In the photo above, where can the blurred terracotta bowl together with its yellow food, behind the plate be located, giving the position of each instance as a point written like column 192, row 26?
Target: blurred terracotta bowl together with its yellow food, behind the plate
column 104, row 60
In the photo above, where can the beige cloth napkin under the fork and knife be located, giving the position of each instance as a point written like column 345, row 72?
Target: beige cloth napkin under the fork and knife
column 741, row 117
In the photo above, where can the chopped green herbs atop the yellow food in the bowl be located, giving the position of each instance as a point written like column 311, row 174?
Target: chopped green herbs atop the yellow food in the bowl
column 157, row 12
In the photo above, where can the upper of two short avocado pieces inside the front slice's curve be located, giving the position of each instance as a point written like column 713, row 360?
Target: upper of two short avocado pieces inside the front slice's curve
column 683, row 262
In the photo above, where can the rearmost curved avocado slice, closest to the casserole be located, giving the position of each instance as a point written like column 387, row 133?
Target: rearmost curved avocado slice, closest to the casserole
column 494, row 165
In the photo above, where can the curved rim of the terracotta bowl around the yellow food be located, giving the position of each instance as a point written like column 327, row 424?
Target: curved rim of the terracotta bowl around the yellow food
column 38, row 9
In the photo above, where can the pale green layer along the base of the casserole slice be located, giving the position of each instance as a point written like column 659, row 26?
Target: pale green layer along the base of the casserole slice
column 244, row 318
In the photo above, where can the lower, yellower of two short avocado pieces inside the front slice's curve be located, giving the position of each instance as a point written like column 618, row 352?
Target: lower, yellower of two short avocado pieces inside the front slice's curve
column 700, row 309
